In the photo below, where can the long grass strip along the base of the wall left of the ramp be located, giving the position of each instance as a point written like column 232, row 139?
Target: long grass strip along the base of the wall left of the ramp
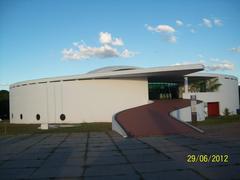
column 11, row 129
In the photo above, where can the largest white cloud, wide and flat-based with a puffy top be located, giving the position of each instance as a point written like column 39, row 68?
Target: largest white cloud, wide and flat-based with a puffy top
column 106, row 50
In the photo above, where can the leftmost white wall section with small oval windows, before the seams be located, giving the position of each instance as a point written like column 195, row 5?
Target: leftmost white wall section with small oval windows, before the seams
column 29, row 101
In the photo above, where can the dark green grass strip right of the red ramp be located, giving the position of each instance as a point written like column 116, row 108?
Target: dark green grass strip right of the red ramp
column 220, row 120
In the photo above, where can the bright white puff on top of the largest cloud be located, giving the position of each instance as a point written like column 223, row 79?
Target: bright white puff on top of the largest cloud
column 106, row 38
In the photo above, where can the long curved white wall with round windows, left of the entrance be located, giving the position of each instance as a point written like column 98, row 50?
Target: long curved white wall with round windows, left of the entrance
column 80, row 100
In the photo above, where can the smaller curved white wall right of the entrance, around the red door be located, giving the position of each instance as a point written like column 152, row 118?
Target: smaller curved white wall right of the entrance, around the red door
column 227, row 94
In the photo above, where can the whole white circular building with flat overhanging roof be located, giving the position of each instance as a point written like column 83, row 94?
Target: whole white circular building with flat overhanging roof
column 98, row 95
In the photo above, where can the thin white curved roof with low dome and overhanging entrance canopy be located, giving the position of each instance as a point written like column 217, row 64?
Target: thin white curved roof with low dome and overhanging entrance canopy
column 168, row 73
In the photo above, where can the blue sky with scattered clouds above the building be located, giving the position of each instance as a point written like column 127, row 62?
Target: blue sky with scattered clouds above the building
column 65, row 37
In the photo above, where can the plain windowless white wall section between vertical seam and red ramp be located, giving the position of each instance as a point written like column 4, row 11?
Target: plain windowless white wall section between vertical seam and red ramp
column 98, row 100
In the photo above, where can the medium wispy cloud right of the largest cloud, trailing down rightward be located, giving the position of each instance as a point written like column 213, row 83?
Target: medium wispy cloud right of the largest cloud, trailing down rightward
column 167, row 32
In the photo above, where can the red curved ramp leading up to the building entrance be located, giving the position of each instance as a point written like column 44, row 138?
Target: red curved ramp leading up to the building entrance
column 153, row 119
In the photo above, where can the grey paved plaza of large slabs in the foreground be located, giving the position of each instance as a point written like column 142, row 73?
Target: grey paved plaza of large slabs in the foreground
column 106, row 155
